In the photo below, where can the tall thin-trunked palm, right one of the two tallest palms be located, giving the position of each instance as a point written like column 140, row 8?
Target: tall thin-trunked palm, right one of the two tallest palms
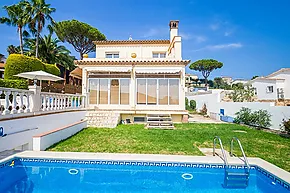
column 40, row 12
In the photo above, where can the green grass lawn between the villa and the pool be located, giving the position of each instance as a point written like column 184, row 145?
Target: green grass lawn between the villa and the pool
column 184, row 140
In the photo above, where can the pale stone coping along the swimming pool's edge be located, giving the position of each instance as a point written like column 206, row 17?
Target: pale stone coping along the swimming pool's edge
column 280, row 173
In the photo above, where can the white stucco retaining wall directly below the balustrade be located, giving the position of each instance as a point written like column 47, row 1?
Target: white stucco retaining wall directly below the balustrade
column 43, row 123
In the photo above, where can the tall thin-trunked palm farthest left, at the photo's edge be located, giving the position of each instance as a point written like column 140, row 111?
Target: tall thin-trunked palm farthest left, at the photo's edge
column 17, row 17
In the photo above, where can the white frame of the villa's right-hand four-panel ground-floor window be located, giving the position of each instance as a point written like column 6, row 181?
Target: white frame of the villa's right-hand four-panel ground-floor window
column 157, row 90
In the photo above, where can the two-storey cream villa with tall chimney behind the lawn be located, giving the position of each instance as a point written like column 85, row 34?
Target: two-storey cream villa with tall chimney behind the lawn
column 137, row 77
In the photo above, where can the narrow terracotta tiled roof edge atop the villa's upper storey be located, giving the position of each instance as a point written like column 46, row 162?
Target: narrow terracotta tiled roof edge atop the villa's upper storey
column 110, row 42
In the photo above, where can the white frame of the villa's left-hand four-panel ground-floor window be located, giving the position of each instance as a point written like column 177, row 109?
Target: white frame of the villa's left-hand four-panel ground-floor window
column 109, row 90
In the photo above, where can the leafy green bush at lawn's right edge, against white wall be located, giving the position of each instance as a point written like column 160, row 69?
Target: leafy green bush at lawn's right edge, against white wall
column 260, row 118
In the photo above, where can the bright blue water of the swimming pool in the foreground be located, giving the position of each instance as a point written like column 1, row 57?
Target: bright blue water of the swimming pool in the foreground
column 43, row 176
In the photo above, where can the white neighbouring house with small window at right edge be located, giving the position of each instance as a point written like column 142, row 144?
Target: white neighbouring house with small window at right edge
column 274, row 87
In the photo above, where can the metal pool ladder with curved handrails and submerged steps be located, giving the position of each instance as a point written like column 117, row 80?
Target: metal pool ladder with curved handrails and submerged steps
column 233, row 179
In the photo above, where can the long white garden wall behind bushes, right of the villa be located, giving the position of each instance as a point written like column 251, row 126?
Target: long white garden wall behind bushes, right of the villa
column 230, row 108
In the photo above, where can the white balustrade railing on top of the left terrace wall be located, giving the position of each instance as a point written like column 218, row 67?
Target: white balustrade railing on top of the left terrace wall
column 18, row 101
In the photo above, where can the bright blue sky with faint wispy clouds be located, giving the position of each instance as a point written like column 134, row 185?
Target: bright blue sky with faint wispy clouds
column 249, row 37
